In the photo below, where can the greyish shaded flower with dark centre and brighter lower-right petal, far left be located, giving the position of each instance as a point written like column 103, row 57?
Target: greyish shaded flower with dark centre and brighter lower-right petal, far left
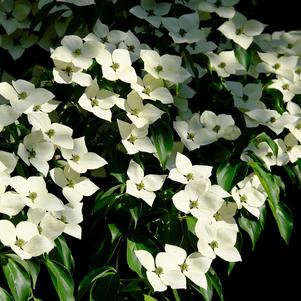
column 36, row 151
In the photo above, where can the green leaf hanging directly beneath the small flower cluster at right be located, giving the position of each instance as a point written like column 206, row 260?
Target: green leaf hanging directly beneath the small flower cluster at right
column 253, row 226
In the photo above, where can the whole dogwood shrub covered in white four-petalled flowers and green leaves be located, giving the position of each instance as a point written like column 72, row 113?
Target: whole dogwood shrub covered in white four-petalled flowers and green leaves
column 159, row 143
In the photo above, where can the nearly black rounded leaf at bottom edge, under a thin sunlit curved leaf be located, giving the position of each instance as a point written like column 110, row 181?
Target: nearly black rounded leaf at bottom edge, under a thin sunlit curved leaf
column 105, row 288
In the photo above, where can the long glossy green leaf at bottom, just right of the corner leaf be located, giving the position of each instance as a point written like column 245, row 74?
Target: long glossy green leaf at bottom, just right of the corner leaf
column 61, row 280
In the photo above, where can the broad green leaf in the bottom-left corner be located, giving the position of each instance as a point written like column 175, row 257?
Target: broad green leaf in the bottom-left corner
column 17, row 279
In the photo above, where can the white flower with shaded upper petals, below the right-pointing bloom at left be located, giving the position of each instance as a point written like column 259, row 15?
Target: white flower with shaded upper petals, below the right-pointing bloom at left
column 74, row 186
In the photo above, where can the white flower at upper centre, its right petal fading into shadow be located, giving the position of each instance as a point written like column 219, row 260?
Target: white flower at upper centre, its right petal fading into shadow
column 167, row 66
